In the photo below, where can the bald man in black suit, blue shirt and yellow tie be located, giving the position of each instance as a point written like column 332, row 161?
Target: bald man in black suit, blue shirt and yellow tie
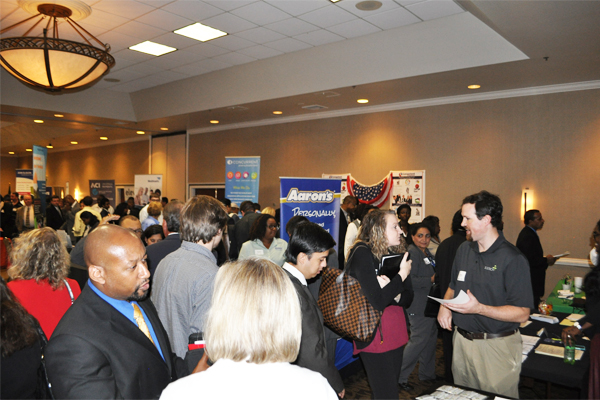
column 111, row 343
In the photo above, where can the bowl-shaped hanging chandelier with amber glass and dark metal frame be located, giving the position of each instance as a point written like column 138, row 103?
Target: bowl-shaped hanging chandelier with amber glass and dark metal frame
column 48, row 62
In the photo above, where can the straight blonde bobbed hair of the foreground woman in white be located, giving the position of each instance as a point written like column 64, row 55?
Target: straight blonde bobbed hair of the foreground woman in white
column 254, row 315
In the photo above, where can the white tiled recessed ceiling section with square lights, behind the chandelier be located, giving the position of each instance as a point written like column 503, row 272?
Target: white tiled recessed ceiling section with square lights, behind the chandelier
column 257, row 30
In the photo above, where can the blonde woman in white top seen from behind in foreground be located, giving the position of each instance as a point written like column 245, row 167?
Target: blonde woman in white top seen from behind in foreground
column 252, row 333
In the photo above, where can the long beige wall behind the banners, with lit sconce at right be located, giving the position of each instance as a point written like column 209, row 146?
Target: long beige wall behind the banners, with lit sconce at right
column 549, row 143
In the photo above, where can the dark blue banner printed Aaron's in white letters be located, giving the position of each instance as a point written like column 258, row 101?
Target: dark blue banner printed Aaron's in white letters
column 314, row 198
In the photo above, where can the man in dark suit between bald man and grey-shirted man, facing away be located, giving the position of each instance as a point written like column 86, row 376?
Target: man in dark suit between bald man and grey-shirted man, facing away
column 156, row 252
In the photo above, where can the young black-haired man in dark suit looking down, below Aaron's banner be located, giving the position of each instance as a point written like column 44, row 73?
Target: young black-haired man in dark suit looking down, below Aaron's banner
column 307, row 255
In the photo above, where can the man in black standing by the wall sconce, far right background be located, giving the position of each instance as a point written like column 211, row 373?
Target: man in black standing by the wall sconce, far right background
column 529, row 244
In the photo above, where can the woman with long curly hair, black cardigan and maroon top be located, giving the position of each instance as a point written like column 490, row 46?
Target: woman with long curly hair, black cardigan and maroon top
column 379, row 236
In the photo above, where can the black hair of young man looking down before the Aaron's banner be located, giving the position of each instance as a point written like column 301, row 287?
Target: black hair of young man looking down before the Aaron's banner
column 308, row 238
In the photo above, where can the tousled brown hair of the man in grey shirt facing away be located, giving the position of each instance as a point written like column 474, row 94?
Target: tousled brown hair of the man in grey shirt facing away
column 201, row 219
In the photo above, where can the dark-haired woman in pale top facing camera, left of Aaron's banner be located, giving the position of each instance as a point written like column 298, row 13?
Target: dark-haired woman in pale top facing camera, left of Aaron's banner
column 263, row 241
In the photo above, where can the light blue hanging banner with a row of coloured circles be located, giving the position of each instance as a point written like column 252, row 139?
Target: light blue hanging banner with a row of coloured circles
column 242, row 177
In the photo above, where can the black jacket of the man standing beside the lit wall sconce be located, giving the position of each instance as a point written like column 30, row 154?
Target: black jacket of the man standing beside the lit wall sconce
column 529, row 244
